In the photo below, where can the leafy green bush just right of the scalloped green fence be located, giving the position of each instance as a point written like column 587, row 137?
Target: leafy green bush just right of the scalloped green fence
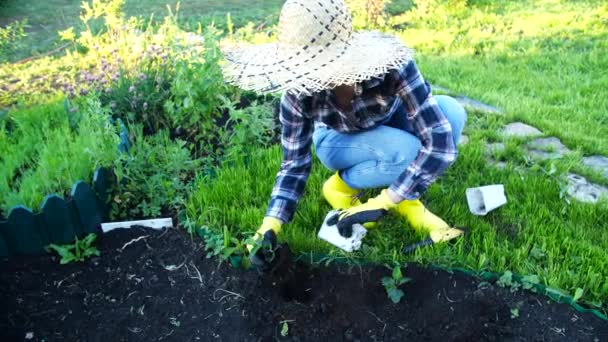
column 153, row 177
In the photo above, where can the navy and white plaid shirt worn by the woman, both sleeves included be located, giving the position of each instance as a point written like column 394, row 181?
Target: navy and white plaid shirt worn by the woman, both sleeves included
column 374, row 103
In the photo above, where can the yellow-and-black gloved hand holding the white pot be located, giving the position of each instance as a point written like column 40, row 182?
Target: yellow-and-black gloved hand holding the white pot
column 370, row 211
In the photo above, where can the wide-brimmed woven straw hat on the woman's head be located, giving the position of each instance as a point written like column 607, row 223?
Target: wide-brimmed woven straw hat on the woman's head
column 316, row 50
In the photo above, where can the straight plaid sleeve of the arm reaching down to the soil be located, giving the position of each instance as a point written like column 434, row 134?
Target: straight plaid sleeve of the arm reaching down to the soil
column 296, row 138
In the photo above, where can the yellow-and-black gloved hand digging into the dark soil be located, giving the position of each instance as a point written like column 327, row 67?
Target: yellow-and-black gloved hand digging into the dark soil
column 262, row 253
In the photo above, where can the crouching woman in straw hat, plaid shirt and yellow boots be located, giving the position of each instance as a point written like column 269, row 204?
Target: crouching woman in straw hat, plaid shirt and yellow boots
column 360, row 99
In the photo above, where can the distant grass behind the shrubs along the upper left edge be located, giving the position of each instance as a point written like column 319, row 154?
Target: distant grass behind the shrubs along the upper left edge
column 46, row 18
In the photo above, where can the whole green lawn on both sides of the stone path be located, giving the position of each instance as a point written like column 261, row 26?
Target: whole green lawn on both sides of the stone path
column 544, row 63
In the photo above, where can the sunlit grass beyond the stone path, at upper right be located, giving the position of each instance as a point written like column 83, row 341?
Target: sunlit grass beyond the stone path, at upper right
column 544, row 63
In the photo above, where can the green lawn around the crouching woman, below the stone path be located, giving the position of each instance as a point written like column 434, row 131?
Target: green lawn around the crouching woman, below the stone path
column 538, row 232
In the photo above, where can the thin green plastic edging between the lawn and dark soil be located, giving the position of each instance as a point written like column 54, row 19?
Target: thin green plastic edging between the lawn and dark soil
column 554, row 294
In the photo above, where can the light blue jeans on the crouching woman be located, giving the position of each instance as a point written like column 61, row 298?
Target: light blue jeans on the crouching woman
column 376, row 157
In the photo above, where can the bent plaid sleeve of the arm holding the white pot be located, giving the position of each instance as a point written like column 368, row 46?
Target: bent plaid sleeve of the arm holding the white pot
column 432, row 128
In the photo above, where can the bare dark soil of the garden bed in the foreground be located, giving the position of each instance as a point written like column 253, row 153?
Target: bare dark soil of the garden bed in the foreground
column 157, row 285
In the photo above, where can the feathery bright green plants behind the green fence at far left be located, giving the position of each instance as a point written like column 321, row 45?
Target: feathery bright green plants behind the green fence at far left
column 47, row 148
